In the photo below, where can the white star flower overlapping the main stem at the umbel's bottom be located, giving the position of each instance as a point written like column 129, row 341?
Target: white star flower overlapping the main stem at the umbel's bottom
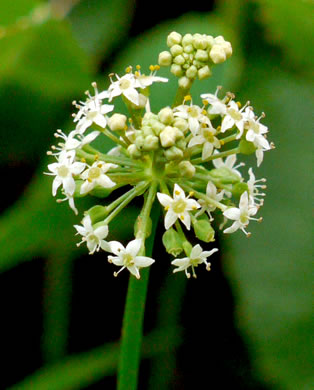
column 128, row 257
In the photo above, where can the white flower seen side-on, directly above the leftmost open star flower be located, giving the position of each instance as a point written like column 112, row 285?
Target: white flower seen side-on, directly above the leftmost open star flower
column 73, row 141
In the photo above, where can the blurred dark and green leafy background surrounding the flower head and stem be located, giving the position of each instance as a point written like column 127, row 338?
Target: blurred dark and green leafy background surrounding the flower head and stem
column 247, row 323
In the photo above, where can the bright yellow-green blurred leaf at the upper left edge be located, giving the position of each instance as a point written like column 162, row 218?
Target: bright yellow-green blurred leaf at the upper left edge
column 46, row 58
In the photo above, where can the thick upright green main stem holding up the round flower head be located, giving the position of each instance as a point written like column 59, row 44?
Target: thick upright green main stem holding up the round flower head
column 132, row 329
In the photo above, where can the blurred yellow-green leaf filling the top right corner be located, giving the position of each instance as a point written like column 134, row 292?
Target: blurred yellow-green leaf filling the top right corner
column 290, row 24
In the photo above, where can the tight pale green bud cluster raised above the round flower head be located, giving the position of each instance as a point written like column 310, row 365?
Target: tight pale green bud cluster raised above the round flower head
column 192, row 56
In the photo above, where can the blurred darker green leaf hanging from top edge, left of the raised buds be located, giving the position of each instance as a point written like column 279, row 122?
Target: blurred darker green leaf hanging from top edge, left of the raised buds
column 99, row 25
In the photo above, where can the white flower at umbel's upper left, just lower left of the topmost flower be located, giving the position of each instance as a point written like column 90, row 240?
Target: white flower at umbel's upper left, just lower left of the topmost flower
column 92, row 111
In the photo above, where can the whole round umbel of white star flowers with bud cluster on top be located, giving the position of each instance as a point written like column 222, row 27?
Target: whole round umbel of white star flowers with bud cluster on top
column 185, row 155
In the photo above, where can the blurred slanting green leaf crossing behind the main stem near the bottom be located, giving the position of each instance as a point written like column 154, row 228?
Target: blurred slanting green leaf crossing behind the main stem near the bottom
column 86, row 368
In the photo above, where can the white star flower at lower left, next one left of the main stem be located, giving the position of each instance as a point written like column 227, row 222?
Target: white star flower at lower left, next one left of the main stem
column 94, row 238
